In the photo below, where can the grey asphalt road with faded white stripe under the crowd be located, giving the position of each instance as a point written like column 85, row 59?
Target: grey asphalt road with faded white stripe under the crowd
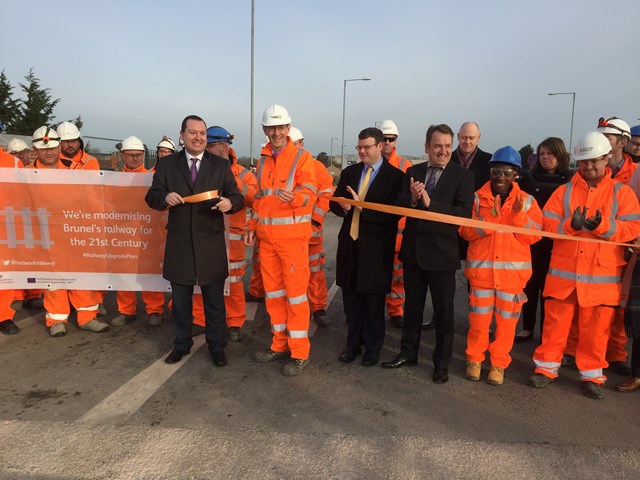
column 106, row 406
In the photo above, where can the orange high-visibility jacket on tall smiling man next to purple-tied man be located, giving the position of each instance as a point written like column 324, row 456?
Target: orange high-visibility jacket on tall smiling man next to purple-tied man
column 293, row 170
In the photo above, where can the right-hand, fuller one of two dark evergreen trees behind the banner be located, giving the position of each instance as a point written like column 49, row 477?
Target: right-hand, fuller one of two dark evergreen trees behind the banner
column 36, row 109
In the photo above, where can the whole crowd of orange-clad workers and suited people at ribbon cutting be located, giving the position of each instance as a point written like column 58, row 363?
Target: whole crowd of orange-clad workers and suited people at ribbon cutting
column 575, row 280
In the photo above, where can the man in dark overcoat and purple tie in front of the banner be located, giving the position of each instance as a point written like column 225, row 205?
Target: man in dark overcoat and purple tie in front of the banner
column 195, row 252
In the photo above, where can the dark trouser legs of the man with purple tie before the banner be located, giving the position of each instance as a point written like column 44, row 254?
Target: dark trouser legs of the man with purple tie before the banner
column 213, row 299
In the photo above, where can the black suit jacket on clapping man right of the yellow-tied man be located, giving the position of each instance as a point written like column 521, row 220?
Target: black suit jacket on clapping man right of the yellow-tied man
column 434, row 245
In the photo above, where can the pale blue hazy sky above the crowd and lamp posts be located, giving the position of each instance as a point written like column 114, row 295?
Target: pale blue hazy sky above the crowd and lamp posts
column 139, row 67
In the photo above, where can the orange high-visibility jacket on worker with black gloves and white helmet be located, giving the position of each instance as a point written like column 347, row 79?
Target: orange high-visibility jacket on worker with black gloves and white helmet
column 593, row 270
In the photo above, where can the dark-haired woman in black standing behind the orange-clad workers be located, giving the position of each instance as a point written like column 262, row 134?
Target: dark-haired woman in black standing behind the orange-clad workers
column 550, row 170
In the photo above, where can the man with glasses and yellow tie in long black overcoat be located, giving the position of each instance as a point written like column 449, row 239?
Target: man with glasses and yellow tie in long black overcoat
column 366, row 245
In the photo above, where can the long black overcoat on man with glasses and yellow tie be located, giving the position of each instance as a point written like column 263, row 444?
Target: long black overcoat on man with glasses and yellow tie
column 368, row 266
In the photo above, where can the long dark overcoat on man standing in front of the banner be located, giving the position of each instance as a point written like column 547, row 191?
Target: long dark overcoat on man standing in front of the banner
column 195, row 251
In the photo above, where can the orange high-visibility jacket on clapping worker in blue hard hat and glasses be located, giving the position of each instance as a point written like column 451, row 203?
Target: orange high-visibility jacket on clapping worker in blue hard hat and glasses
column 501, row 260
